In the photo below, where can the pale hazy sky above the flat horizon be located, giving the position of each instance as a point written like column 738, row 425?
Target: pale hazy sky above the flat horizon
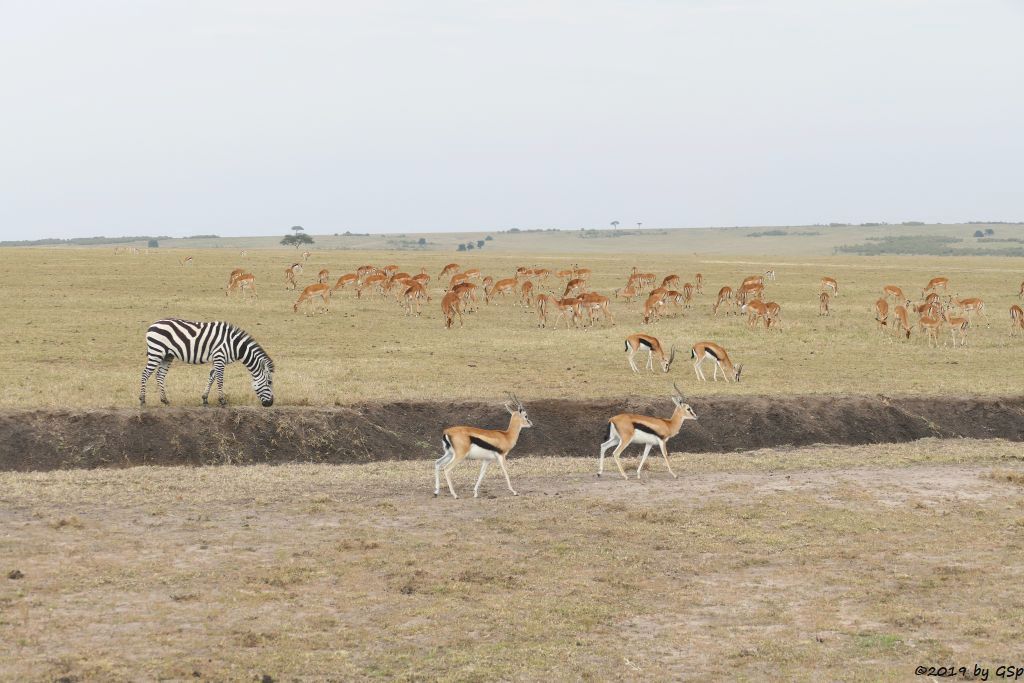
column 247, row 117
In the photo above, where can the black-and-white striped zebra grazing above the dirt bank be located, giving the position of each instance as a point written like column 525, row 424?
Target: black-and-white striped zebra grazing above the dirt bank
column 198, row 344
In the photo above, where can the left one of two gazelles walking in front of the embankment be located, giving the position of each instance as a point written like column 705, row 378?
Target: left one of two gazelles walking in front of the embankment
column 488, row 446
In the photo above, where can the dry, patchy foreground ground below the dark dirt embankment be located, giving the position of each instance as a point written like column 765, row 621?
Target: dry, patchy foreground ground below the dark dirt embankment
column 824, row 564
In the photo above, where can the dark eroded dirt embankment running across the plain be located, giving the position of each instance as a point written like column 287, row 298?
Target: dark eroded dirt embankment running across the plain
column 60, row 440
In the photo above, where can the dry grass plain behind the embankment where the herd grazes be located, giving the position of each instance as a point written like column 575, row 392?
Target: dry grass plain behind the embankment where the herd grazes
column 75, row 320
